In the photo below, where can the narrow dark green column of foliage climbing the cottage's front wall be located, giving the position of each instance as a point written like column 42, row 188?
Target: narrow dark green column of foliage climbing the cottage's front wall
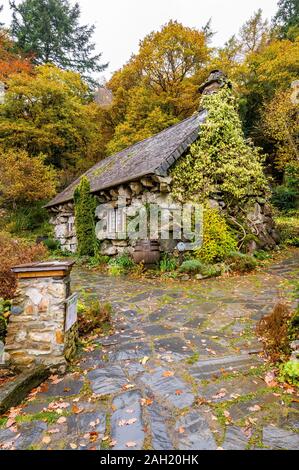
column 85, row 205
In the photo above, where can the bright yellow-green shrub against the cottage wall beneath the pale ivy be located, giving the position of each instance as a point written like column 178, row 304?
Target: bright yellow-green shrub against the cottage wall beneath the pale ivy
column 218, row 240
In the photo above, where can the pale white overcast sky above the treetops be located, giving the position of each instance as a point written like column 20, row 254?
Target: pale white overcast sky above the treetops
column 121, row 24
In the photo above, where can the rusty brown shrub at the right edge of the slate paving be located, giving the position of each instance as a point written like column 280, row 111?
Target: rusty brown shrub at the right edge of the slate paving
column 274, row 332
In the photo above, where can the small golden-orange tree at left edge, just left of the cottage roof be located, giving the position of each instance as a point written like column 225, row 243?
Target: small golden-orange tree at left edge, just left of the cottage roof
column 24, row 179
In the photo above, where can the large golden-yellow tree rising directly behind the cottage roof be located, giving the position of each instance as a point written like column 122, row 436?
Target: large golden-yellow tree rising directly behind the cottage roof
column 159, row 84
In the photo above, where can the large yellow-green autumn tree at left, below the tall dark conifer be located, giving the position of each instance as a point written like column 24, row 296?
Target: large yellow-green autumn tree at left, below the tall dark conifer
column 49, row 111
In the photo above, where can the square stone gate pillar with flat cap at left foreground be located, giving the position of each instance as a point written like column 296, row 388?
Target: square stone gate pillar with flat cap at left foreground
column 42, row 328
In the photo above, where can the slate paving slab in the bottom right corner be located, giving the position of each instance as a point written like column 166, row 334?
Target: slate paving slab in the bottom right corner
column 278, row 438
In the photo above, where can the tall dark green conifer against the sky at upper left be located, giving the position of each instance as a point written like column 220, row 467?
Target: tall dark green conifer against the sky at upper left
column 50, row 30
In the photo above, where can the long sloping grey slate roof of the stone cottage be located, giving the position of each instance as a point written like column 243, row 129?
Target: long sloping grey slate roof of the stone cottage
column 154, row 155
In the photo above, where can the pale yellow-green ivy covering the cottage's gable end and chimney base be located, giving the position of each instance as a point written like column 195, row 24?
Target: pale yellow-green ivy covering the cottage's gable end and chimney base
column 221, row 160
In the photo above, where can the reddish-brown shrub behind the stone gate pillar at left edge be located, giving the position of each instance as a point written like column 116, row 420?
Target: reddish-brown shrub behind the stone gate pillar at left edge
column 15, row 251
